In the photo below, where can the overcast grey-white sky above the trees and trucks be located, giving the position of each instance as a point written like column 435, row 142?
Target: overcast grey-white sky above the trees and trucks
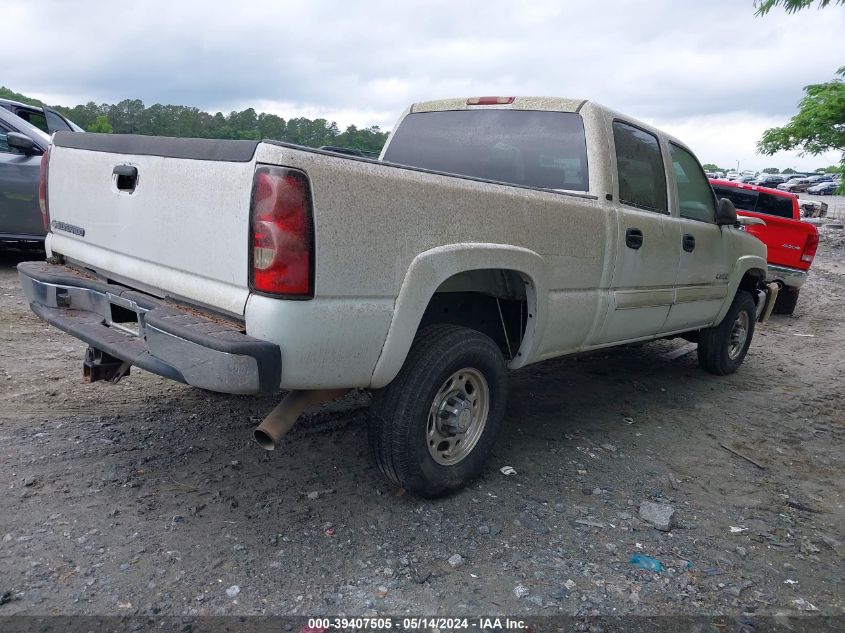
column 709, row 72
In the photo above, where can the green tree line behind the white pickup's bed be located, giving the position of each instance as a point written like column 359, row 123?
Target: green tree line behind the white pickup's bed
column 131, row 116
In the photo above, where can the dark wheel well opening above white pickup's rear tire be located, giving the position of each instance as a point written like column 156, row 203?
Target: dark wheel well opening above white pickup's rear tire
column 491, row 301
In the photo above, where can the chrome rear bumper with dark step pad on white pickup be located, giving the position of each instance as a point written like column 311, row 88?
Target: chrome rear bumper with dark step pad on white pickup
column 142, row 330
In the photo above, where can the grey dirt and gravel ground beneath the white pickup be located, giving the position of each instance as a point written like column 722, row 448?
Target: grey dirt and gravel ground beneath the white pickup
column 149, row 497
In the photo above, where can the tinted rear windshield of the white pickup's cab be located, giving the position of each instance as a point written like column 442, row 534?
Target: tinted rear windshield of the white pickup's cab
column 522, row 147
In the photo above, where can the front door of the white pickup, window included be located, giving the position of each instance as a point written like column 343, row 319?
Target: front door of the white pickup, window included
column 703, row 270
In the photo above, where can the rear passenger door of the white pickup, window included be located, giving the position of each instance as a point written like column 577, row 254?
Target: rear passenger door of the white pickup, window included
column 649, row 243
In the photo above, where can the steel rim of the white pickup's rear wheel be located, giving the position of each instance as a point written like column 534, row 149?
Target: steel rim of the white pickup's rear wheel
column 457, row 416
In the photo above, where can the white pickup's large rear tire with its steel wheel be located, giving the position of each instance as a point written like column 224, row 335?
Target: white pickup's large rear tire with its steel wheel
column 433, row 427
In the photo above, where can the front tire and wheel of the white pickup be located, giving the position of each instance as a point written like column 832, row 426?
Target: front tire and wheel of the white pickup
column 722, row 348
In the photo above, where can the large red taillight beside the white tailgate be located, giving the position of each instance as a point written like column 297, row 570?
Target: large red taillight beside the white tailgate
column 282, row 233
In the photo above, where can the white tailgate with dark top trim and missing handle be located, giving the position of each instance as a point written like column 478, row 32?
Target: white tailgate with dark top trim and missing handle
column 173, row 220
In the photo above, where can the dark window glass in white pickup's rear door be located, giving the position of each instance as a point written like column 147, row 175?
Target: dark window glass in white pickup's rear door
column 639, row 164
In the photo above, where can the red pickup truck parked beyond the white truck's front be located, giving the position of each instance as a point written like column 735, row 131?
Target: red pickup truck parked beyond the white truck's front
column 791, row 243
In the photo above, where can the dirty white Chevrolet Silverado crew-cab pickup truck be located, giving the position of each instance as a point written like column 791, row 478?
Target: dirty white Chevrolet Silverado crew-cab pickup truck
column 491, row 233
